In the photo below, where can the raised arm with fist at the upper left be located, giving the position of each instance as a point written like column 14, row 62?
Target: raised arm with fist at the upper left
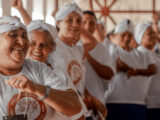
column 19, row 6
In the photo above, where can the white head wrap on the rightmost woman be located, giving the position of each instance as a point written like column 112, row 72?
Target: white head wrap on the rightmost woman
column 140, row 30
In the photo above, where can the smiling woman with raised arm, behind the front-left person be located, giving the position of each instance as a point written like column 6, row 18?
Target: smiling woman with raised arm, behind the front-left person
column 41, row 44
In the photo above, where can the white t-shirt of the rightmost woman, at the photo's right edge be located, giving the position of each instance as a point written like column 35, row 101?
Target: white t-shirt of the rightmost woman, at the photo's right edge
column 153, row 97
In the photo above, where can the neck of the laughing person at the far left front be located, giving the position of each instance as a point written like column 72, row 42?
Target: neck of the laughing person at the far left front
column 8, row 72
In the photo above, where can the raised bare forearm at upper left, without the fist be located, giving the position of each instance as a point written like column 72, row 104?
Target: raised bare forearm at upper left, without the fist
column 26, row 17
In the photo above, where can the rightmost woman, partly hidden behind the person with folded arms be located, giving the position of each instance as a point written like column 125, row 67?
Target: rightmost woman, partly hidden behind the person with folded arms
column 153, row 101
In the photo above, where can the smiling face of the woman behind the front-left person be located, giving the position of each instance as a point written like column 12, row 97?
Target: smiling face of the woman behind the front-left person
column 40, row 45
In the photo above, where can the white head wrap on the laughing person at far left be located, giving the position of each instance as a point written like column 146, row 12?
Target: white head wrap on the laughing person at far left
column 8, row 23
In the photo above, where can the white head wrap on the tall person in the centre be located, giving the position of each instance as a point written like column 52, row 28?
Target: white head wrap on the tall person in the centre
column 66, row 10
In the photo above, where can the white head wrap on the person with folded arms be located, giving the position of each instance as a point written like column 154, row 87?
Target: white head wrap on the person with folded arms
column 124, row 26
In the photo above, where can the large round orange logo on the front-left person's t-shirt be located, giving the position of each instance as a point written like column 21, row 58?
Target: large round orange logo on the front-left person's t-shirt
column 27, row 104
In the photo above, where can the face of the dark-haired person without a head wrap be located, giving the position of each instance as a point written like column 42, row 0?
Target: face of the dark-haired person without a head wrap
column 89, row 23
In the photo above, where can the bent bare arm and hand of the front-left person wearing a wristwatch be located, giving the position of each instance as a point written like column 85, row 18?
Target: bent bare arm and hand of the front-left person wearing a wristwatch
column 69, row 106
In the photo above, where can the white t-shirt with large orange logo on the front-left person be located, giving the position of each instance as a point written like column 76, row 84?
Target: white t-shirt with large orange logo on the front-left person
column 14, row 102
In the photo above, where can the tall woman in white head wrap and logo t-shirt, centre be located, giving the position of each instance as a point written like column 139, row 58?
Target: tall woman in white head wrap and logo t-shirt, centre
column 69, row 22
